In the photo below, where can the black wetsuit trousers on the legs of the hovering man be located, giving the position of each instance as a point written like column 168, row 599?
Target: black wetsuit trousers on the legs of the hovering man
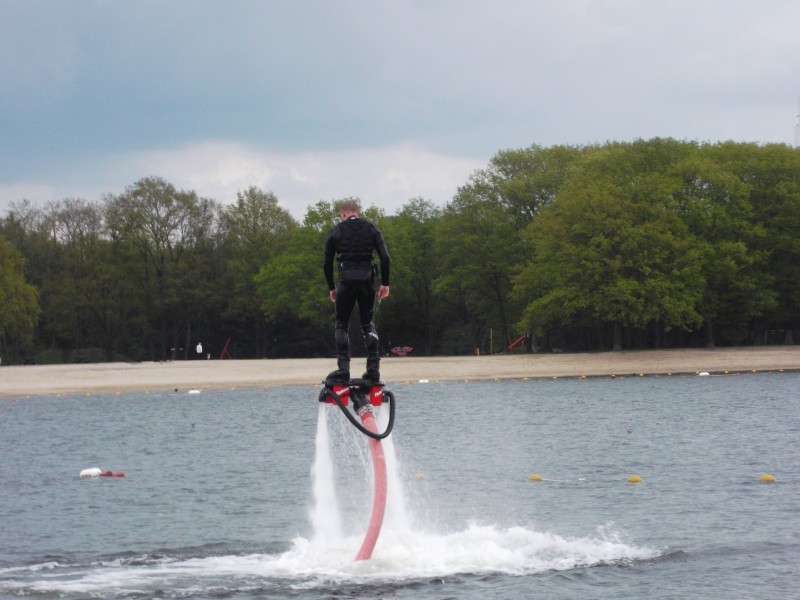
column 348, row 294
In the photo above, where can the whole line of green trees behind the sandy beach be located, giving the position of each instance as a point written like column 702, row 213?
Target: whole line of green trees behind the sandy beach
column 646, row 244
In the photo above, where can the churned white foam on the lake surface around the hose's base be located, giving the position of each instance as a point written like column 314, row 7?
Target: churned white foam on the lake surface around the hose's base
column 399, row 556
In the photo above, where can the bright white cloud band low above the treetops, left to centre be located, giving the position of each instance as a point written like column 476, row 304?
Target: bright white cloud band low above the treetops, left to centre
column 385, row 177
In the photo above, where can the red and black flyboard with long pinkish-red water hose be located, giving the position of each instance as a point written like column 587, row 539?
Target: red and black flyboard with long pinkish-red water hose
column 363, row 395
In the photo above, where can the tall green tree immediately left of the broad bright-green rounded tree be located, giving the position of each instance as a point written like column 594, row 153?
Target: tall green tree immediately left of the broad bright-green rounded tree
column 478, row 237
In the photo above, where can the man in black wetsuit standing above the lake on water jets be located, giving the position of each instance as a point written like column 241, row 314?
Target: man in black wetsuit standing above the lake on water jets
column 352, row 243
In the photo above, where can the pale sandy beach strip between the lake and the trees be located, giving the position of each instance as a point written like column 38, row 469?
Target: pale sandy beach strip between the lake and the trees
column 200, row 374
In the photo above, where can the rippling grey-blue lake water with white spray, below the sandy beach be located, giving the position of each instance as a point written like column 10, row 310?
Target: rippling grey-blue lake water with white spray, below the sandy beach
column 219, row 499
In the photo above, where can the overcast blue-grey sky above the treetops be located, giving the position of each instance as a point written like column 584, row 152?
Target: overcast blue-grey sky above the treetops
column 383, row 99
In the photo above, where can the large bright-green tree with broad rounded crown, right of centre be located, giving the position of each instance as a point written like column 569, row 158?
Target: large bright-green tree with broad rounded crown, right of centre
column 609, row 252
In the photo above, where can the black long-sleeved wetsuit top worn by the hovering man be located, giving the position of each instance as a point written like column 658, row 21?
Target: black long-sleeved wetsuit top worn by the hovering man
column 352, row 242
